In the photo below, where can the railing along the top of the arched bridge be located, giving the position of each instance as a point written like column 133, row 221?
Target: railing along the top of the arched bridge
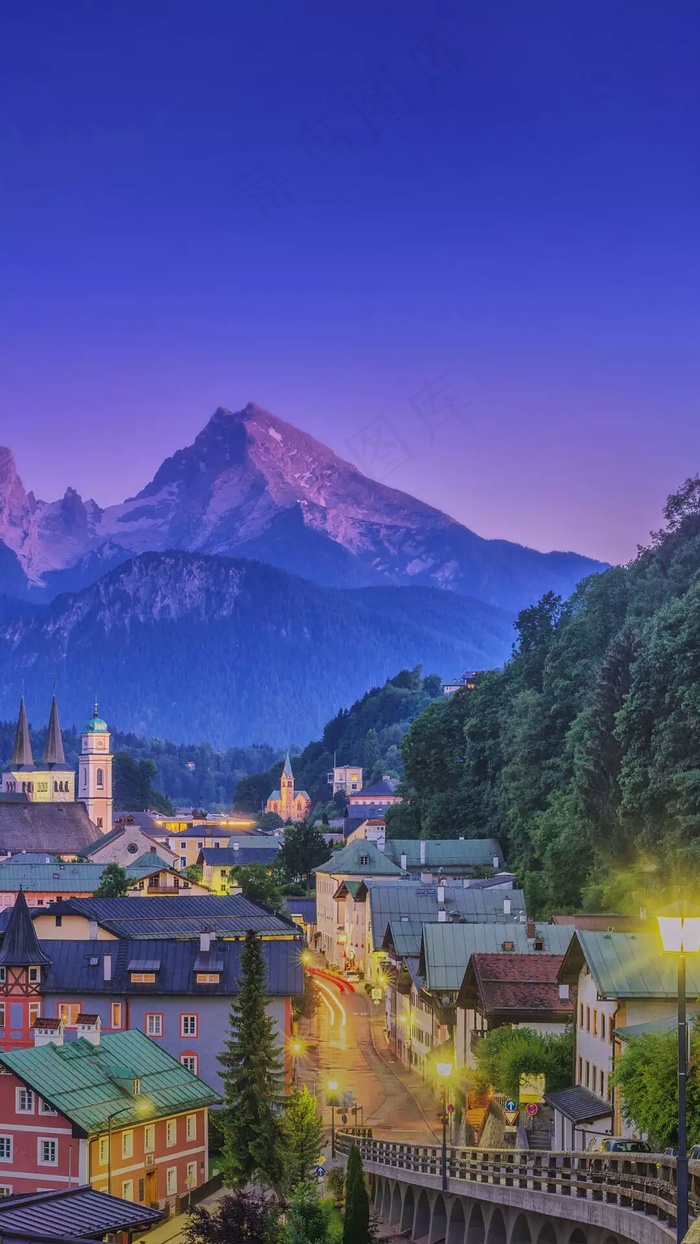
column 645, row 1184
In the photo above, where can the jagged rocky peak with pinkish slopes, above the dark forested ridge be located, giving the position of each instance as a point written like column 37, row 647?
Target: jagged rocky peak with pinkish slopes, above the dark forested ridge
column 253, row 486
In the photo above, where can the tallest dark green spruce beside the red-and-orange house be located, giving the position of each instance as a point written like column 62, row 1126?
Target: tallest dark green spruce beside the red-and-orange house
column 253, row 1082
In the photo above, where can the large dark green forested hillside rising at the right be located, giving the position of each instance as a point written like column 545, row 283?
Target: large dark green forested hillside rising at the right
column 583, row 756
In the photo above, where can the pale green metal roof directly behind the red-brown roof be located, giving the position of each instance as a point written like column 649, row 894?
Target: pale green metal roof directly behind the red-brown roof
column 448, row 949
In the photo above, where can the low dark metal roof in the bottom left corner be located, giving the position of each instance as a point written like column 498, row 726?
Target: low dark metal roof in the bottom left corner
column 71, row 1212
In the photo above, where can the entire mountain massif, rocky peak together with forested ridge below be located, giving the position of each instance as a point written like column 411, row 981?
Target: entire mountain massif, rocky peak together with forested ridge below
column 394, row 583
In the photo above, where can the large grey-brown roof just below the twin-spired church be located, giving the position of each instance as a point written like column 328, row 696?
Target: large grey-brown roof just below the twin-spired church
column 59, row 829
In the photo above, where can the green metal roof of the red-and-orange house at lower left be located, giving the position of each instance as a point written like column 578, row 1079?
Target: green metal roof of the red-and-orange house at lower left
column 89, row 1083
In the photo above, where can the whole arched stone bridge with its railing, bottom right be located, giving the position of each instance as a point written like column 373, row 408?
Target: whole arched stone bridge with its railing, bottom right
column 522, row 1197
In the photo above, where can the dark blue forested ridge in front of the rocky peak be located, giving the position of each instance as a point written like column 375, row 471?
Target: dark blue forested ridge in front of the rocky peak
column 193, row 648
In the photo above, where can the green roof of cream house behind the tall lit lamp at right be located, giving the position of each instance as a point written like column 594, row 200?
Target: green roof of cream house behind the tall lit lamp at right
column 629, row 966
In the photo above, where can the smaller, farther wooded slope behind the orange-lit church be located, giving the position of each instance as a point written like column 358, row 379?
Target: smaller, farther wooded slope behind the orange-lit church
column 367, row 735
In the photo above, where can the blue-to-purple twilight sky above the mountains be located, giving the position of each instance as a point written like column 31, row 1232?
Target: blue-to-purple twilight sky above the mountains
column 473, row 228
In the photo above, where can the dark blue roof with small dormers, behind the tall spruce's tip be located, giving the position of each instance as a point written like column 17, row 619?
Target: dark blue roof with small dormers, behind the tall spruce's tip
column 80, row 967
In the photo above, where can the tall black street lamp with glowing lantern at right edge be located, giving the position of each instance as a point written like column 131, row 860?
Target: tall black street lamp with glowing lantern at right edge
column 681, row 935
